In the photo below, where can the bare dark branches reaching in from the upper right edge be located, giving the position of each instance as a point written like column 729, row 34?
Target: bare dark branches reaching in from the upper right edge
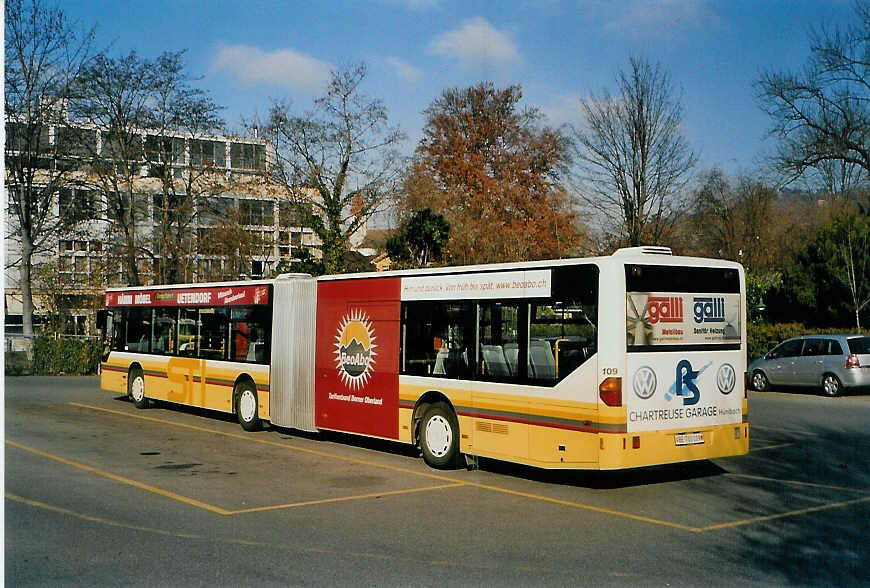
column 822, row 114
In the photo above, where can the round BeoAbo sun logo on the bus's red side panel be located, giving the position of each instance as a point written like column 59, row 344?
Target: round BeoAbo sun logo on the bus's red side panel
column 355, row 349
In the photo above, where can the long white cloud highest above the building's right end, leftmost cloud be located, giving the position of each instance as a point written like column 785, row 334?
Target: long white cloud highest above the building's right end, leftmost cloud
column 284, row 67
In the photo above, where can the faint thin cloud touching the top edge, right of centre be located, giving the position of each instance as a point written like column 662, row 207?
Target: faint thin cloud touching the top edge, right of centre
column 658, row 18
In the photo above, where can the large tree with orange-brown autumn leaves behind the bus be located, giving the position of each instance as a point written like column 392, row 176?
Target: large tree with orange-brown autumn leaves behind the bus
column 493, row 171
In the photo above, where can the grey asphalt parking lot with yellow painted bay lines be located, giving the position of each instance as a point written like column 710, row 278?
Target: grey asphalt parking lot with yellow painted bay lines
column 98, row 492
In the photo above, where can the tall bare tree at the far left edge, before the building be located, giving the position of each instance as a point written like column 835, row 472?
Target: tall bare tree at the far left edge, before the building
column 43, row 53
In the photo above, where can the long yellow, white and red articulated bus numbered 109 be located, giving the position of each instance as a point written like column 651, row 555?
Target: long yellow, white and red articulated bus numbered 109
column 629, row 360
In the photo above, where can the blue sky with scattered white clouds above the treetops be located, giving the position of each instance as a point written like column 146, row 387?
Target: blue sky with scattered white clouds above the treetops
column 249, row 52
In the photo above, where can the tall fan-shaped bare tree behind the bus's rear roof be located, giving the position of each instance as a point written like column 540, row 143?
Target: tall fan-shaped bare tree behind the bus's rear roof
column 632, row 158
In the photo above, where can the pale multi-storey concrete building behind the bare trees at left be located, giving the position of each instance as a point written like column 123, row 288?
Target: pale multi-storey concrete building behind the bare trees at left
column 240, row 225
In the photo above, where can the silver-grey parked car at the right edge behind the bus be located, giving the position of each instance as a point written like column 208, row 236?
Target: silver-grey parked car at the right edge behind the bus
column 833, row 362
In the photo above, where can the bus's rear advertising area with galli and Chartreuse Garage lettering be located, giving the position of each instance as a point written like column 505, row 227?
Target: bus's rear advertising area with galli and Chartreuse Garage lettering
column 697, row 383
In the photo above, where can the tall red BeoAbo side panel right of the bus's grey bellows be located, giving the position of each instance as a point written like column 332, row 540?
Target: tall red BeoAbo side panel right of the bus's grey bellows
column 357, row 356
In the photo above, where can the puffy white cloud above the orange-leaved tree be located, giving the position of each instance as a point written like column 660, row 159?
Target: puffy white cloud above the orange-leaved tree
column 476, row 42
